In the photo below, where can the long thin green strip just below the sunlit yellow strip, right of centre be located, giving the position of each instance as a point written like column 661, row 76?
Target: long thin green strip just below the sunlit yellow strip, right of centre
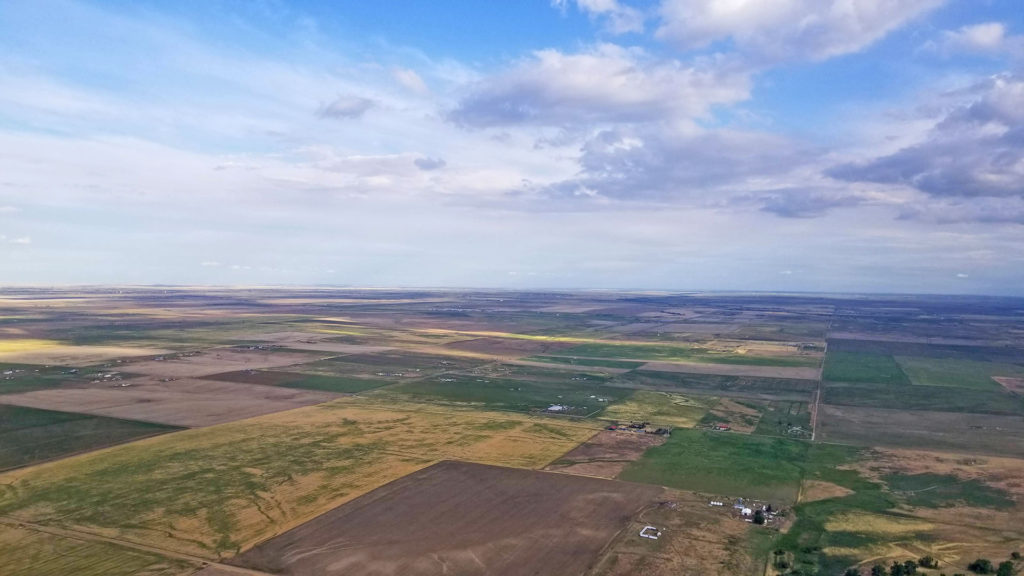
column 677, row 353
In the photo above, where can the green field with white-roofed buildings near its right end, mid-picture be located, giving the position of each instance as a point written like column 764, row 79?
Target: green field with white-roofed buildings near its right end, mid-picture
column 521, row 396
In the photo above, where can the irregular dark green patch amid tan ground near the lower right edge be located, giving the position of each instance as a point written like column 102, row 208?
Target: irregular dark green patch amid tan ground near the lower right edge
column 935, row 491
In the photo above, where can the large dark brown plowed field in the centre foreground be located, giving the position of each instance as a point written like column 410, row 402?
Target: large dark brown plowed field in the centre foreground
column 458, row 518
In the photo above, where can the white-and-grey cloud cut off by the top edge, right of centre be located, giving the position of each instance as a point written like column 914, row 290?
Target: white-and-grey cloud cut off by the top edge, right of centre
column 790, row 30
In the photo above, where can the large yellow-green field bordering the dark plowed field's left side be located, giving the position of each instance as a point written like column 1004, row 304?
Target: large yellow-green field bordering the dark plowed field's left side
column 216, row 491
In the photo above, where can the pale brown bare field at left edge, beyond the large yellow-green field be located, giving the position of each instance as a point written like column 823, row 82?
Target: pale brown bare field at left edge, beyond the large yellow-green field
column 182, row 403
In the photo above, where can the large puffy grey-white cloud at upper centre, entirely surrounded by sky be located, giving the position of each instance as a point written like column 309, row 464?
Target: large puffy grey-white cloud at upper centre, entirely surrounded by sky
column 606, row 84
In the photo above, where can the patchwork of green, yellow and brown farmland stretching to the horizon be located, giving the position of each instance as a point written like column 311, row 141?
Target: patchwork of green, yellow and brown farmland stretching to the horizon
column 154, row 431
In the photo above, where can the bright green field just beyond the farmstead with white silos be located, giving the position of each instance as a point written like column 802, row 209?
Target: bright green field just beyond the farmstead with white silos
column 723, row 464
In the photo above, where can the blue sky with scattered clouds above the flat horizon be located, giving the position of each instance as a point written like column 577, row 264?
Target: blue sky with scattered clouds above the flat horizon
column 839, row 146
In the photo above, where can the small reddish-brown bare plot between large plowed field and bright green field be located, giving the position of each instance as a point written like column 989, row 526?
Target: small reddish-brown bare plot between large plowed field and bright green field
column 607, row 455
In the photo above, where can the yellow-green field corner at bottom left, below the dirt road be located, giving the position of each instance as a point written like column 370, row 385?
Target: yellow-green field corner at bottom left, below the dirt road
column 28, row 553
